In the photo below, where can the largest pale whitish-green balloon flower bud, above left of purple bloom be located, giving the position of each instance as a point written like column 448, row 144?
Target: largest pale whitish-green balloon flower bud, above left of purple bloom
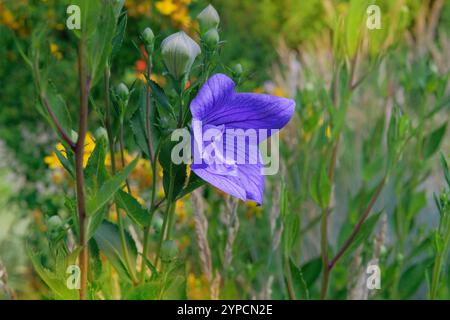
column 179, row 52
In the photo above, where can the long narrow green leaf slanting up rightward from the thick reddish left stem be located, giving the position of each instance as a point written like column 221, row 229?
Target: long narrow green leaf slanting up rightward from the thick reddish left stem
column 109, row 189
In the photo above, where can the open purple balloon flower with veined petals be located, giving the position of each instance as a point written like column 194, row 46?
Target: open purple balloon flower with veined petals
column 222, row 120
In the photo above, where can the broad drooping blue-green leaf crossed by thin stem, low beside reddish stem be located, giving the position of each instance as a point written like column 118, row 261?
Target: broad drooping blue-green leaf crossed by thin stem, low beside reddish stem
column 108, row 240
